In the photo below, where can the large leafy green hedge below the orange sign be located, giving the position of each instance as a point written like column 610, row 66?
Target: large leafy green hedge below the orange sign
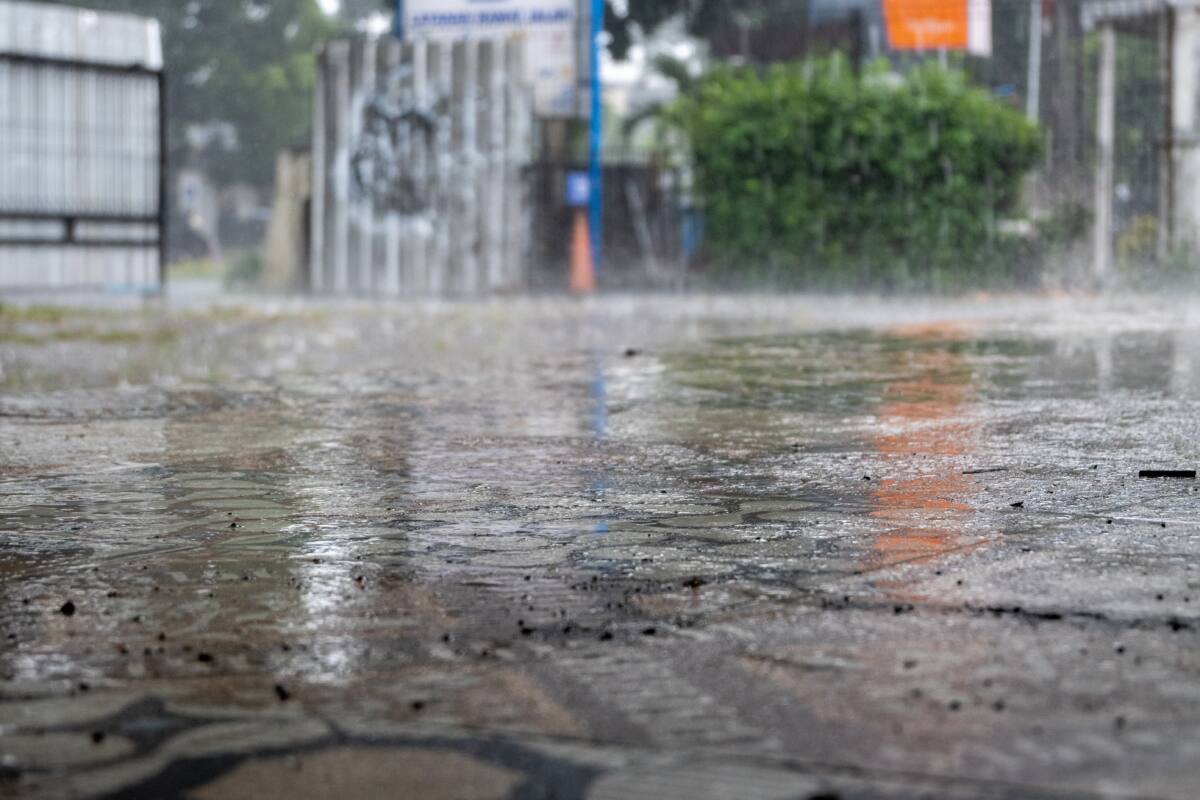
column 817, row 176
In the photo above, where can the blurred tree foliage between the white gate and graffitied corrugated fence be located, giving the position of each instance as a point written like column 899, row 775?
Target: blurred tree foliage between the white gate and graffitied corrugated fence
column 245, row 63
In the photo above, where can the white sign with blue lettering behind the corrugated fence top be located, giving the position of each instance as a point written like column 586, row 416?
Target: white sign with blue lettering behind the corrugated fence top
column 549, row 28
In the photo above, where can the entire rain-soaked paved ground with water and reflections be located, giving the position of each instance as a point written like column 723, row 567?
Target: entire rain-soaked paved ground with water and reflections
column 741, row 548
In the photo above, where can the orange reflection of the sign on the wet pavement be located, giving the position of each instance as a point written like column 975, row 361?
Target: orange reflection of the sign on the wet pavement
column 925, row 419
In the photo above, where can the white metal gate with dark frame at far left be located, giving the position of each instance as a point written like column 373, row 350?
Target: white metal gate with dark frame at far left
column 82, row 151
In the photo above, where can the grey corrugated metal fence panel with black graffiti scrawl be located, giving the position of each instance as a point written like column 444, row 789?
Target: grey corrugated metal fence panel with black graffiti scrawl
column 421, row 153
